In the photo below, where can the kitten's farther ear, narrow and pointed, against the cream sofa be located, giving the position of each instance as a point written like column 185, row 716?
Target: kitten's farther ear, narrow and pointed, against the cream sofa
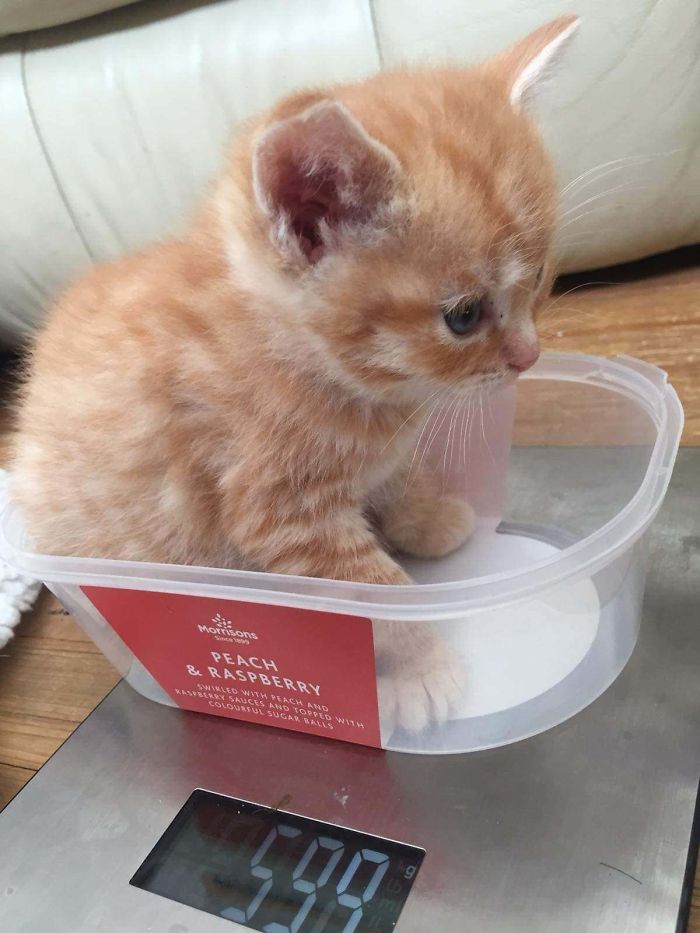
column 528, row 64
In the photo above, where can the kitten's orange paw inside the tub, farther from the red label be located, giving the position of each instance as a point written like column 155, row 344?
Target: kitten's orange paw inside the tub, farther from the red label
column 427, row 526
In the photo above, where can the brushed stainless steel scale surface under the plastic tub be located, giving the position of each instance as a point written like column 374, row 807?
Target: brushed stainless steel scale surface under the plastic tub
column 584, row 829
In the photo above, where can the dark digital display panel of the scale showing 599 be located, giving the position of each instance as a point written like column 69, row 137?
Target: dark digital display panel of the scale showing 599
column 278, row 872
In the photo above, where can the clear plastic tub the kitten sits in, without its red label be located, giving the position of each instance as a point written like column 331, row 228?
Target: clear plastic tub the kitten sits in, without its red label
column 566, row 471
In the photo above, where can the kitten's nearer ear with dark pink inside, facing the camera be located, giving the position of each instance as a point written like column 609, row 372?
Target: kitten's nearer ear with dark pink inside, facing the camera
column 319, row 175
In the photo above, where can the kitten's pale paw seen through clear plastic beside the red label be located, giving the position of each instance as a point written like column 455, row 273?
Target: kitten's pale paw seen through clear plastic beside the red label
column 420, row 692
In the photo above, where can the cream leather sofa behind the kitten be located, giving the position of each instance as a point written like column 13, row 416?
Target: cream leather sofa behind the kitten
column 112, row 124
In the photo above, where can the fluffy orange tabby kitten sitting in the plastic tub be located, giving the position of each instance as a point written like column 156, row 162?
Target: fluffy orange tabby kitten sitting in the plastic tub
column 244, row 395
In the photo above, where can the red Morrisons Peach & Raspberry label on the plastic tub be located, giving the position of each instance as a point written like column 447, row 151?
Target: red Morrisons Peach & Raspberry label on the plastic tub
column 291, row 668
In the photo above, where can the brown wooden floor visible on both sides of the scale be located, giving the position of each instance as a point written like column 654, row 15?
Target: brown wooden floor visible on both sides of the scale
column 650, row 310
